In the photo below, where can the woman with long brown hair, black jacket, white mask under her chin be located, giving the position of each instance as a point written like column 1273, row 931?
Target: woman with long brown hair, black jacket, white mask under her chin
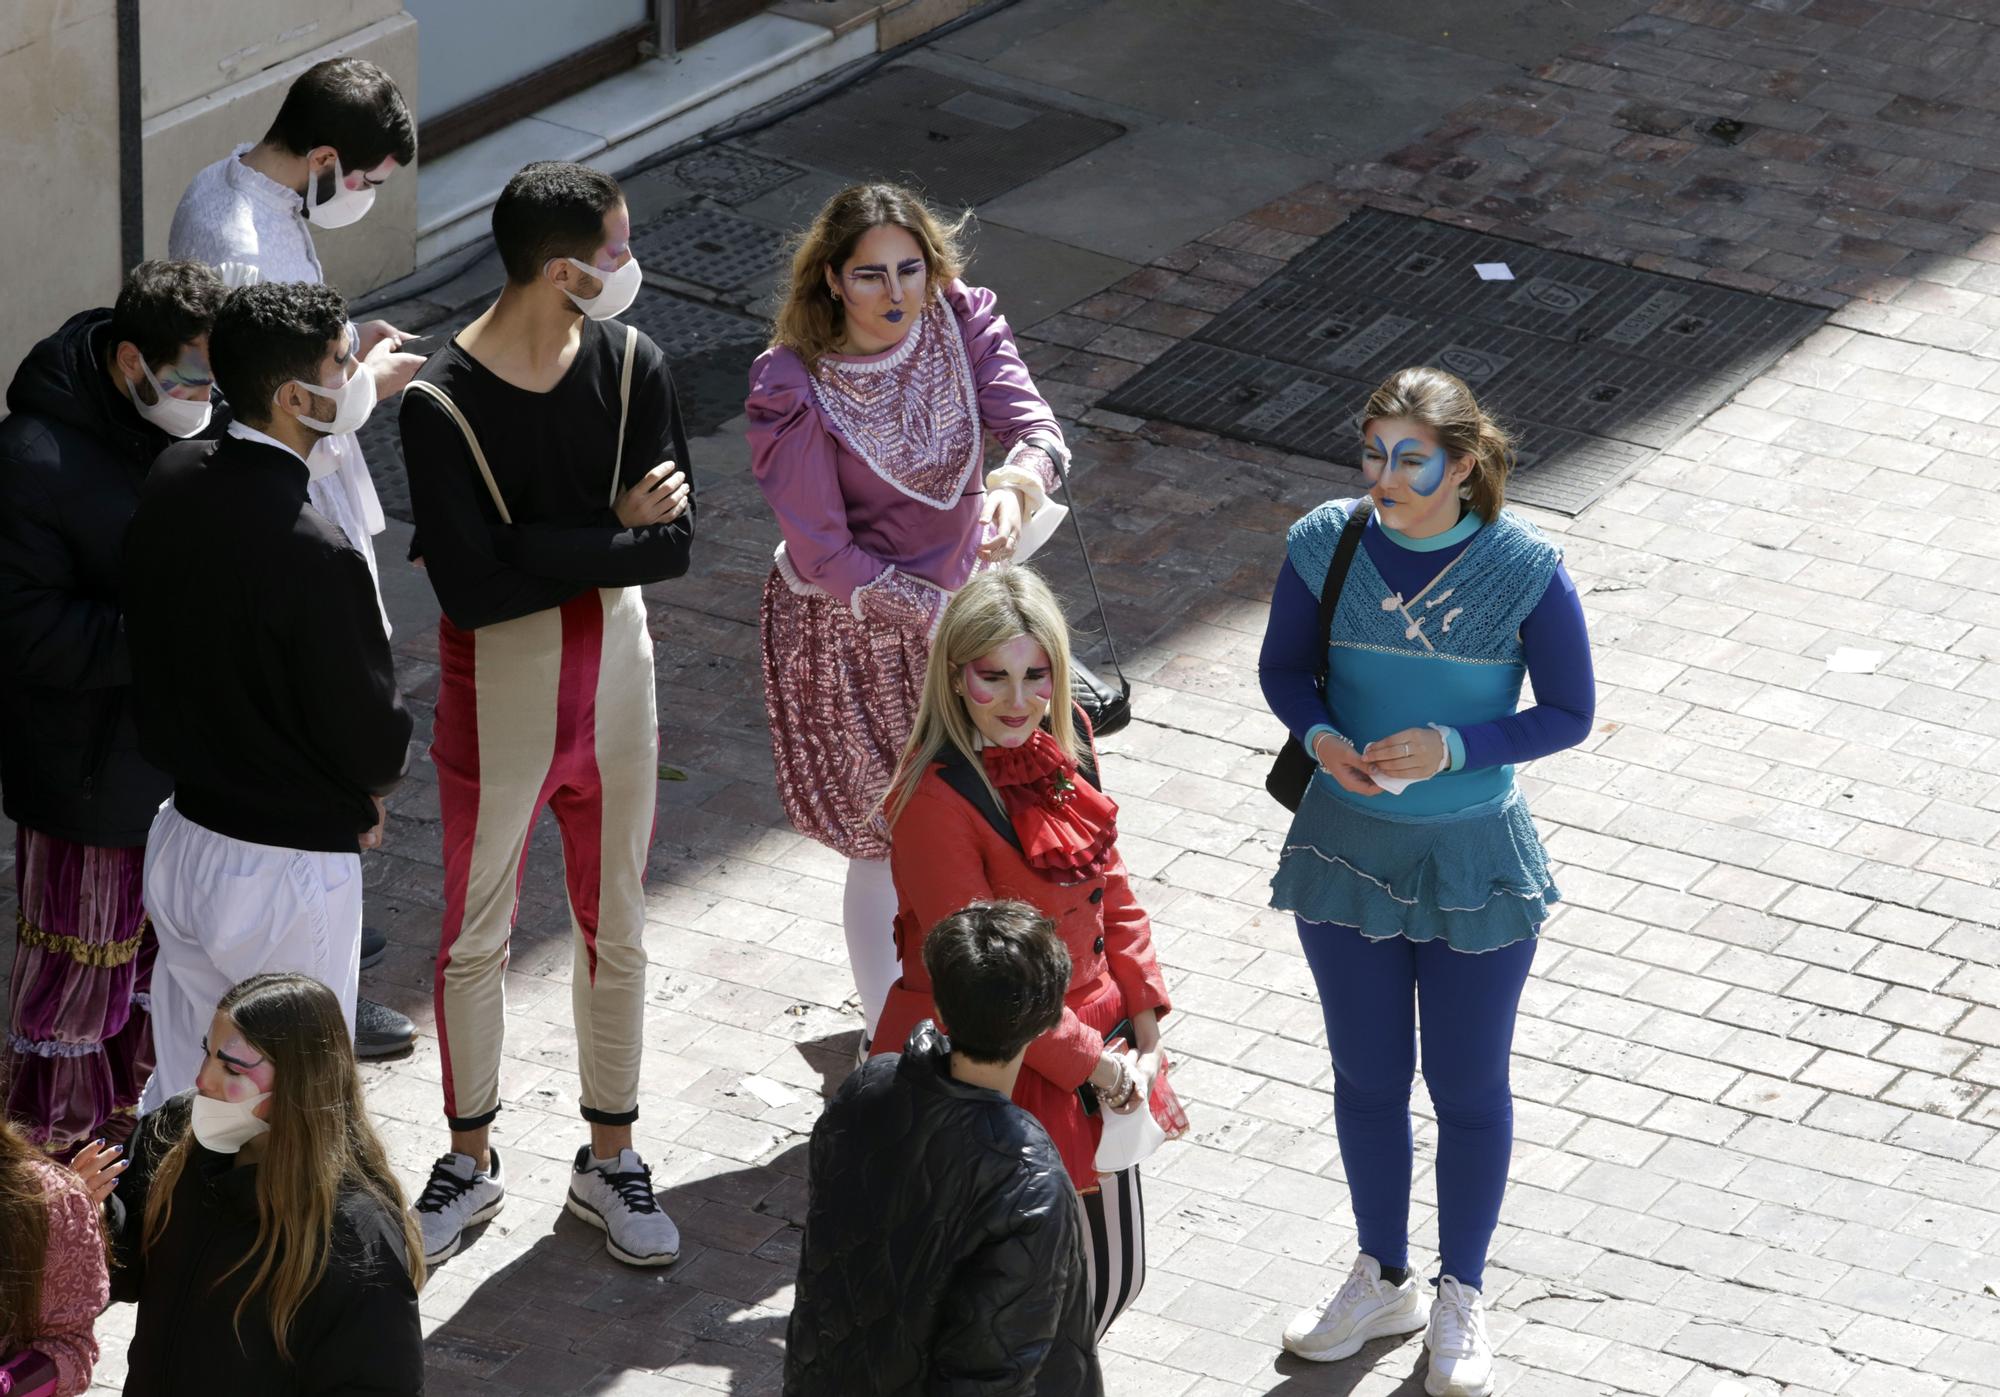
column 261, row 1228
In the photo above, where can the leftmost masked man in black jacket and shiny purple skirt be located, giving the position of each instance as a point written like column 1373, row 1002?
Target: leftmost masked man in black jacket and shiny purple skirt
column 91, row 407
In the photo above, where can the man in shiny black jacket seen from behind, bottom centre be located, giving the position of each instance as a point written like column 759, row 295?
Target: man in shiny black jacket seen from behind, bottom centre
column 943, row 1244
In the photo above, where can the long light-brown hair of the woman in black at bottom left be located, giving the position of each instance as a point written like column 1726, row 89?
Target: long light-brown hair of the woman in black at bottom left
column 321, row 1144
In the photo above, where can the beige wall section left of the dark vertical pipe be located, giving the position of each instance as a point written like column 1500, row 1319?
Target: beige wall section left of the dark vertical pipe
column 59, row 165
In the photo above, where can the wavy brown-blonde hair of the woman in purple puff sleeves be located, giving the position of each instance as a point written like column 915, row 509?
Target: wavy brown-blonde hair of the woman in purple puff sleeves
column 811, row 321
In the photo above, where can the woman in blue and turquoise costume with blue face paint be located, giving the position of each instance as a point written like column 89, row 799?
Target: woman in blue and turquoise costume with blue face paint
column 1413, row 866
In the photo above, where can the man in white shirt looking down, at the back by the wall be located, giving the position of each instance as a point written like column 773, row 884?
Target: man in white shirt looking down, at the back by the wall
column 341, row 133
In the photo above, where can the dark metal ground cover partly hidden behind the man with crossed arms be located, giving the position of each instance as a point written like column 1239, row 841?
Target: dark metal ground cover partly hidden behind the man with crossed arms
column 707, row 351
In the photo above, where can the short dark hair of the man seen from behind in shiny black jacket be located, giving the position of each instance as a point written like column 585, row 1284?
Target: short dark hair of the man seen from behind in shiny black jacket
column 999, row 974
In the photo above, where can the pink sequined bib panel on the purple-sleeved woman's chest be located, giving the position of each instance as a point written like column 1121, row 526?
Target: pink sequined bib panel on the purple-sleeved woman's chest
column 913, row 415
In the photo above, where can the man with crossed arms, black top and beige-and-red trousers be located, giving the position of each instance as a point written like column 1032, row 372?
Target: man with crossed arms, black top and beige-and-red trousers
column 549, row 475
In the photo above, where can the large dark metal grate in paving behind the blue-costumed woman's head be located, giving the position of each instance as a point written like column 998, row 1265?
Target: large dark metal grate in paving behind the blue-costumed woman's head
column 1595, row 367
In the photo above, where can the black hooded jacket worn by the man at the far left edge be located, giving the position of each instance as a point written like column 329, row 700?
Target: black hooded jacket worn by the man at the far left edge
column 73, row 457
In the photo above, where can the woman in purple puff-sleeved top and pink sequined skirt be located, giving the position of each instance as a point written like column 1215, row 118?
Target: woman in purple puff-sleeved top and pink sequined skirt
column 869, row 421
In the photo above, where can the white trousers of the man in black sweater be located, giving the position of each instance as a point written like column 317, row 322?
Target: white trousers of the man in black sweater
column 227, row 910
